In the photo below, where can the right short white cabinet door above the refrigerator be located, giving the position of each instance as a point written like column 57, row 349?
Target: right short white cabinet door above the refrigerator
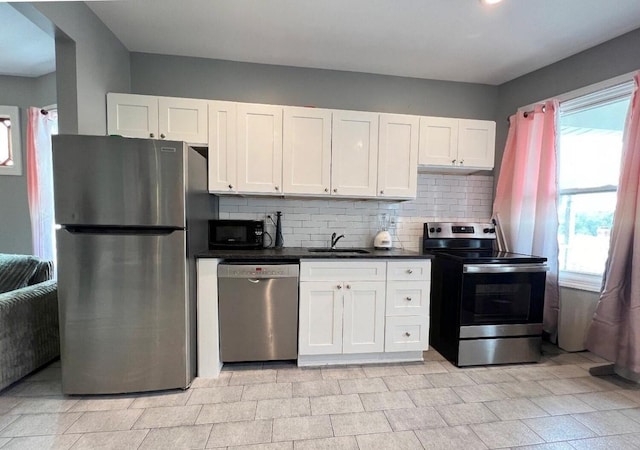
column 183, row 119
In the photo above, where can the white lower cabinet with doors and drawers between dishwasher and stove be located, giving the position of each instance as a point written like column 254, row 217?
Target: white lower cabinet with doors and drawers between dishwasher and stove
column 364, row 307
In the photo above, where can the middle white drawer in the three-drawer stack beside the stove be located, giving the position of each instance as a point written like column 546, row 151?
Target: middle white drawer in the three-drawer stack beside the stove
column 407, row 298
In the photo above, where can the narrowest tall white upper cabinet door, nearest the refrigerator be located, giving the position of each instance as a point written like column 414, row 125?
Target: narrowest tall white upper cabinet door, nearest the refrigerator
column 222, row 147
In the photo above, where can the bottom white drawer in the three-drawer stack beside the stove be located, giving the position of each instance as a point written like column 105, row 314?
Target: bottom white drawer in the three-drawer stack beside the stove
column 406, row 333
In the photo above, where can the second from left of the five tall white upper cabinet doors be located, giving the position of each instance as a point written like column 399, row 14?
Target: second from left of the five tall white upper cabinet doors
column 259, row 148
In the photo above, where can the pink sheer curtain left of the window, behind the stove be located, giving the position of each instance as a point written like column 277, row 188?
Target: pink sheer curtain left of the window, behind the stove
column 526, row 196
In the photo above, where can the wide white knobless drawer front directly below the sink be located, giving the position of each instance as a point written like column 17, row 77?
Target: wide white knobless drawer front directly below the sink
column 362, row 270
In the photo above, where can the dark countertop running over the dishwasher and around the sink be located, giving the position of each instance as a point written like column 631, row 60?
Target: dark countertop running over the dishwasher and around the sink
column 296, row 253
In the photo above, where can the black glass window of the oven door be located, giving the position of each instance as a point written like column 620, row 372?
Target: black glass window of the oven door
column 502, row 298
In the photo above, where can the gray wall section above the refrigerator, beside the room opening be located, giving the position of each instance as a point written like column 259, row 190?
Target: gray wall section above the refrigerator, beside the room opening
column 90, row 61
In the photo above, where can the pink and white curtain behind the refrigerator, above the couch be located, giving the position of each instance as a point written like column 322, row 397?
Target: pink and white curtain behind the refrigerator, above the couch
column 40, row 182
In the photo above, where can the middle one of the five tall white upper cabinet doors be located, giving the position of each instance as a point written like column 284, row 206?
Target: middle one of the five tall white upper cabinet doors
column 306, row 154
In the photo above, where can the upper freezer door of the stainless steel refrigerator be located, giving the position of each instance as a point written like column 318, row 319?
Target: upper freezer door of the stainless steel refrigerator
column 106, row 180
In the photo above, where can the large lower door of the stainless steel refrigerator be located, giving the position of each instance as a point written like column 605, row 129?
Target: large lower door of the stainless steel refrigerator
column 124, row 315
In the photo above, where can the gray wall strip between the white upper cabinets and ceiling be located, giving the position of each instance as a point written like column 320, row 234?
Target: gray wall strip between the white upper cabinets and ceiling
column 260, row 83
